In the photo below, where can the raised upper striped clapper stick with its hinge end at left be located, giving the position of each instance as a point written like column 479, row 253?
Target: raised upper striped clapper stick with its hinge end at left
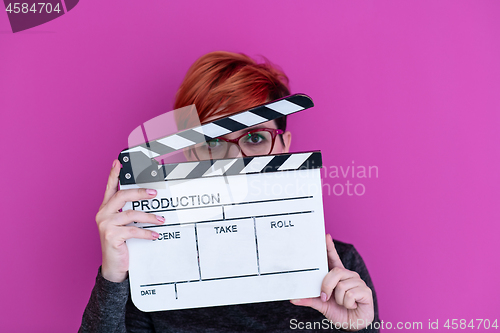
column 139, row 165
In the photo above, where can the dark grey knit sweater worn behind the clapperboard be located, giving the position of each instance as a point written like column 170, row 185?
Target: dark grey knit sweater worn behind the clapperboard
column 110, row 310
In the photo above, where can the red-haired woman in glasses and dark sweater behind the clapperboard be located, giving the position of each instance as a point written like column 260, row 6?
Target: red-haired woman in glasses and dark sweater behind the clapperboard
column 220, row 84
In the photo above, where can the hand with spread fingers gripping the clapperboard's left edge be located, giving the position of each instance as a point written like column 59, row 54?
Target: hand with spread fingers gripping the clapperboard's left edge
column 112, row 225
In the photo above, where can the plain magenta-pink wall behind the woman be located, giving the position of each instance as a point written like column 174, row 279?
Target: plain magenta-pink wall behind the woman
column 411, row 87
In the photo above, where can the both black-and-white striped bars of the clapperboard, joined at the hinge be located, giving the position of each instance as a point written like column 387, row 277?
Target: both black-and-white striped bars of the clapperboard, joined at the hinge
column 145, row 169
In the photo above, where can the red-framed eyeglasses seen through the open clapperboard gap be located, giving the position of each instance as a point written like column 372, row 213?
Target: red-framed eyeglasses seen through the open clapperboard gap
column 259, row 141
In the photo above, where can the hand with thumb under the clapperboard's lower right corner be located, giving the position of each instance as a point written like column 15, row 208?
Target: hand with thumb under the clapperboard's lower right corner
column 345, row 297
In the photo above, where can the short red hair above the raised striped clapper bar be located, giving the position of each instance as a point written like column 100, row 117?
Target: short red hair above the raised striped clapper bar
column 222, row 83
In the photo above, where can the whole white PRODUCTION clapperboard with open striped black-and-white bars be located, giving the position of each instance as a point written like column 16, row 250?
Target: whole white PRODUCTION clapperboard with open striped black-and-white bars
column 239, row 230
